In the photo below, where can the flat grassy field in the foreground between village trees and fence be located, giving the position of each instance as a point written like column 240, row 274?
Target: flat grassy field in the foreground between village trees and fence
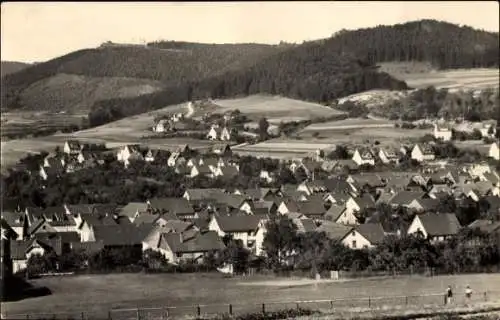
column 99, row 293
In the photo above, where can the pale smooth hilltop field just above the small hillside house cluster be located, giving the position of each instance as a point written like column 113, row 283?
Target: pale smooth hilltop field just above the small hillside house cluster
column 277, row 109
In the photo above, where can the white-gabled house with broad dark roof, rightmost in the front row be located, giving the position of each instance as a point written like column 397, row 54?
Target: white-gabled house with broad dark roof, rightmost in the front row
column 436, row 227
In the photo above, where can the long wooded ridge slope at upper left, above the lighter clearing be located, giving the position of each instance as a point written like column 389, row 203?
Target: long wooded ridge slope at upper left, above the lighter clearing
column 153, row 62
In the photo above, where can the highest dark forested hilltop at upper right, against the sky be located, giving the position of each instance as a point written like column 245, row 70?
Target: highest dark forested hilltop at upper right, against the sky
column 443, row 44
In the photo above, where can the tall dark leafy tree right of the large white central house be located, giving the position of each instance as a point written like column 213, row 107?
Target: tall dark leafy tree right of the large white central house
column 279, row 241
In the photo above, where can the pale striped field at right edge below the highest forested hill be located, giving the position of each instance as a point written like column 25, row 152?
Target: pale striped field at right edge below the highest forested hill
column 454, row 79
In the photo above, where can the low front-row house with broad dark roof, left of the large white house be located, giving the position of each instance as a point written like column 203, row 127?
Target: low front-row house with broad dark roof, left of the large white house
column 190, row 245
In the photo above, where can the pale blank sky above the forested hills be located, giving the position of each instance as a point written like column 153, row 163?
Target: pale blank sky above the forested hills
column 39, row 31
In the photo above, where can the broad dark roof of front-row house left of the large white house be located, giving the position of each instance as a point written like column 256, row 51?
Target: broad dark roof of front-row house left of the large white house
column 198, row 242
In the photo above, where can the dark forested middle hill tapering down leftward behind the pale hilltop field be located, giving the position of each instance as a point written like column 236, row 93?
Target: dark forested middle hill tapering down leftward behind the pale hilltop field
column 313, row 71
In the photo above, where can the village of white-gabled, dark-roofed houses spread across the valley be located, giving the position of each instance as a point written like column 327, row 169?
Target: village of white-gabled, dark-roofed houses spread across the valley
column 337, row 196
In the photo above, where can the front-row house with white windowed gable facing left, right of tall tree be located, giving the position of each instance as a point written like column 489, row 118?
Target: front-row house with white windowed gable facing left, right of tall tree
column 364, row 236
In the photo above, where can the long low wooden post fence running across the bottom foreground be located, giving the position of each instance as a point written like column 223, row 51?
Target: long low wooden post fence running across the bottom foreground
column 201, row 310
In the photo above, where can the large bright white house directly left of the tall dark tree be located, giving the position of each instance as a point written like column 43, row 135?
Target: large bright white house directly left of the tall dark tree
column 249, row 229
